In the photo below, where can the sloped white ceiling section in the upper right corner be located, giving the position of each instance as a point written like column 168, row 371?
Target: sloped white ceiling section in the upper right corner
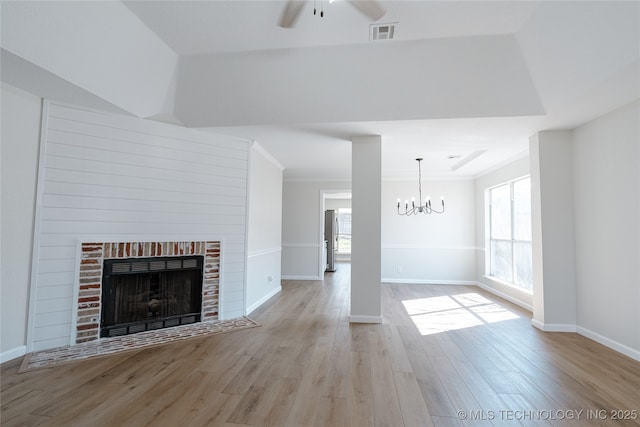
column 560, row 79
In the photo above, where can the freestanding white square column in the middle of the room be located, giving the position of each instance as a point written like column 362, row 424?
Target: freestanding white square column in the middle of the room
column 366, row 229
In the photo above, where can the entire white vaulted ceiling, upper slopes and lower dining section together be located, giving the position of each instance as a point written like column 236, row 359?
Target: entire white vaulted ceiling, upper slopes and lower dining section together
column 463, row 84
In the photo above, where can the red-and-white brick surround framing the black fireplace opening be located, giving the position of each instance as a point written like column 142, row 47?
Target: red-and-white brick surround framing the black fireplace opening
column 90, row 283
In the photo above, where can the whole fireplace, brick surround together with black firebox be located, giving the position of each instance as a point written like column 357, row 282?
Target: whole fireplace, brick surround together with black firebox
column 129, row 287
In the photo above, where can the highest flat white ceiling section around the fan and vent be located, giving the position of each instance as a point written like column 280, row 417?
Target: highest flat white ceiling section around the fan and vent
column 205, row 27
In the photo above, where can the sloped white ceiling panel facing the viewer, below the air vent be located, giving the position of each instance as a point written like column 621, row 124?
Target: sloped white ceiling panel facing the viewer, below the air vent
column 422, row 79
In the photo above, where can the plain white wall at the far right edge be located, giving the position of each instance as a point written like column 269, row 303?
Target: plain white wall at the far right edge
column 606, row 182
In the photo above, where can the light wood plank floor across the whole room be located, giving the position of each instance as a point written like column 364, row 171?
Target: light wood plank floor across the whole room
column 440, row 350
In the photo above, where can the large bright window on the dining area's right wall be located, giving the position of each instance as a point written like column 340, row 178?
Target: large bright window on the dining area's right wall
column 510, row 252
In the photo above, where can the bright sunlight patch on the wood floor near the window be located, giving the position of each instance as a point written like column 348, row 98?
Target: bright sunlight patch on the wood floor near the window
column 452, row 312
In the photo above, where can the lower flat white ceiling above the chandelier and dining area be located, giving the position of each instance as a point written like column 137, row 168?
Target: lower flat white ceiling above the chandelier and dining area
column 323, row 151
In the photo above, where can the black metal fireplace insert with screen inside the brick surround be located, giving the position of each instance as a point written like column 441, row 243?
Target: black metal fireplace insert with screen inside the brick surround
column 140, row 294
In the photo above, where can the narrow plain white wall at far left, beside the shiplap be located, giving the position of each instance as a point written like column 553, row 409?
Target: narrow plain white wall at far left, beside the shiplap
column 20, row 126
